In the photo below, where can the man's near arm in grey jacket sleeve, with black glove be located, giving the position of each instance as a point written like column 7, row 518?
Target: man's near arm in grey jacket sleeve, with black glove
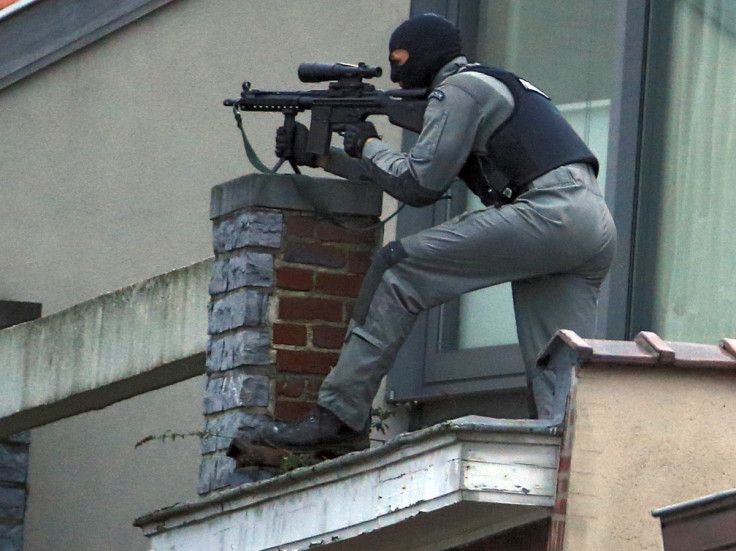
column 463, row 111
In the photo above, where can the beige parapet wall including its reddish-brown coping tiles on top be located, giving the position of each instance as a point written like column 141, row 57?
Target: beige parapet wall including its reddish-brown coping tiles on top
column 654, row 425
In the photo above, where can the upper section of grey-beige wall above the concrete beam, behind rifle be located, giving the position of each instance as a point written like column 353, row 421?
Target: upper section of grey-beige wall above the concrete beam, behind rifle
column 109, row 155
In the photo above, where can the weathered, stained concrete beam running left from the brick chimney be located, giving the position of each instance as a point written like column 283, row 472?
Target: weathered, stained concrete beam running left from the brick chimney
column 140, row 338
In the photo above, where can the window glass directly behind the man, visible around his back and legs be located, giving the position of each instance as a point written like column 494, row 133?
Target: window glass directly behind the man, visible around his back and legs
column 565, row 48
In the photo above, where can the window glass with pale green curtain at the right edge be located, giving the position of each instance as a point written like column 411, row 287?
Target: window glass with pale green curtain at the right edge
column 692, row 86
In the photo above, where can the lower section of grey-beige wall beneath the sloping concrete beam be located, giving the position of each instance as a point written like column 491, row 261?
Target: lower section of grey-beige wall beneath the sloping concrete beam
column 88, row 481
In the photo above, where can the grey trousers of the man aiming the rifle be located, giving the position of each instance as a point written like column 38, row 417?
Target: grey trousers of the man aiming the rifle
column 555, row 244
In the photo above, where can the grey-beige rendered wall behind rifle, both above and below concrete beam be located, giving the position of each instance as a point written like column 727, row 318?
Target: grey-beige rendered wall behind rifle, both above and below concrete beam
column 108, row 158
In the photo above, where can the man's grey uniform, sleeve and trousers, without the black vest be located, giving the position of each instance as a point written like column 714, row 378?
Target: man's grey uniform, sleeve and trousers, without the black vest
column 555, row 243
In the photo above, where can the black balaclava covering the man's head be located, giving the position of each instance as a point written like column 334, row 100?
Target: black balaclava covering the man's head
column 432, row 41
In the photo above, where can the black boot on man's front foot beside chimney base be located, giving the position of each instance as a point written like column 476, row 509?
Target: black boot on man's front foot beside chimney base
column 321, row 433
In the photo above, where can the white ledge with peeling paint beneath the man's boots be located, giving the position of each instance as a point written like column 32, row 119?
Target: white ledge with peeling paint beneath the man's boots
column 488, row 475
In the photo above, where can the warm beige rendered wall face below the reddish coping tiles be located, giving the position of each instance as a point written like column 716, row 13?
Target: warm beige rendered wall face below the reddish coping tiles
column 646, row 438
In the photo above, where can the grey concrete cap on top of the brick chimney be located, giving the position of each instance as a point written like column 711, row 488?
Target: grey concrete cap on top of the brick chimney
column 294, row 191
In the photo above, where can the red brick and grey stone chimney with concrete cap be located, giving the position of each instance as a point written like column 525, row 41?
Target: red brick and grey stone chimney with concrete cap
column 290, row 255
